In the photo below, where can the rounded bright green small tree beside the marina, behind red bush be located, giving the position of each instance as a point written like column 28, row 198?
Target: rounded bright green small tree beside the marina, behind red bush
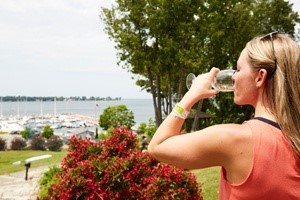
column 116, row 116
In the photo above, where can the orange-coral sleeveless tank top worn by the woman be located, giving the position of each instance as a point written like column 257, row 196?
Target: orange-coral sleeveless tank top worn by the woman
column 275, row 172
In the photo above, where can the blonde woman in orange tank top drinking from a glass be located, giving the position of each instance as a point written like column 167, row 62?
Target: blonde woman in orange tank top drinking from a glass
column 259, row 159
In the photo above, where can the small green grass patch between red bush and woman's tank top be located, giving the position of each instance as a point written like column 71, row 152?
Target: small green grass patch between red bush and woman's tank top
column 210, row 182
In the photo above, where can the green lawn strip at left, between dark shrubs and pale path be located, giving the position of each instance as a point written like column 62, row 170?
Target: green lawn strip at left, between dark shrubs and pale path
column 8, row 157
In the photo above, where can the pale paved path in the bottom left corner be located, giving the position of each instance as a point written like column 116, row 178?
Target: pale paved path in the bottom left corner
column 13, row 186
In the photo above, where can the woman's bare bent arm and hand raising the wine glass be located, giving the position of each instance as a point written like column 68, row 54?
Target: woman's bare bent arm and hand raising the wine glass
column 200, row 149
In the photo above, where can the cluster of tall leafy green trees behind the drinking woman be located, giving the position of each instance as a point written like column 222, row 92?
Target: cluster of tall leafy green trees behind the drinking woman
column 160, row 41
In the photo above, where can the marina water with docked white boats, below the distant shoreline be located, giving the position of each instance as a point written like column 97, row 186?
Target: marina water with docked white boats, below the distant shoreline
column 65, row 117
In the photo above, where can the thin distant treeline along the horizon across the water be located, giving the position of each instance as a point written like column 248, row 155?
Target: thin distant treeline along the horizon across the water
column 83, row 98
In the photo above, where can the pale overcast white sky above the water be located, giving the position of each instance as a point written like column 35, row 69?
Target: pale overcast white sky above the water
column 59, row 48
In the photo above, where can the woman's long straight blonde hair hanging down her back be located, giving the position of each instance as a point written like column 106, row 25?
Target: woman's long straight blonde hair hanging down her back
column 279, row 54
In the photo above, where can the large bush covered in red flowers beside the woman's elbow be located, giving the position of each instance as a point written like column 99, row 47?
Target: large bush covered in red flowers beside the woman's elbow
column 116, row 168
